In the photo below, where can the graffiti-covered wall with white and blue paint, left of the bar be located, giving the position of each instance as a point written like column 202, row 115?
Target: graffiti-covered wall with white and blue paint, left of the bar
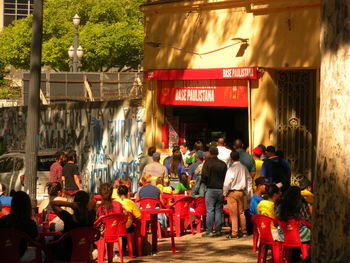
column 108, row 137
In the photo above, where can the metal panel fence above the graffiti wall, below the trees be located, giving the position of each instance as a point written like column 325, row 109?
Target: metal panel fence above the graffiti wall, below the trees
column 67, row 87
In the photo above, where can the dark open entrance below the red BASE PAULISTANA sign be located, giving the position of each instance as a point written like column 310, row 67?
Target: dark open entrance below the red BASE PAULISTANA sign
column 192, row 123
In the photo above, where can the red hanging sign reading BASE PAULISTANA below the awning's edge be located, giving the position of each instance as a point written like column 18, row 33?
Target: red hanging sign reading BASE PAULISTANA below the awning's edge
column 210, row 93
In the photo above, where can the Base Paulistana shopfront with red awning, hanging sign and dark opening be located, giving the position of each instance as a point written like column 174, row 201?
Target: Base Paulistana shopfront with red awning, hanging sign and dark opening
column 203, row 104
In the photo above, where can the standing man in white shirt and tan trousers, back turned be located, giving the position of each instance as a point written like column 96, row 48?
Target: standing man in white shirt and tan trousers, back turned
column 238, row 182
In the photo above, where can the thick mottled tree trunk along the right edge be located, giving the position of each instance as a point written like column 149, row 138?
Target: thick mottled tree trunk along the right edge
column 331, row 219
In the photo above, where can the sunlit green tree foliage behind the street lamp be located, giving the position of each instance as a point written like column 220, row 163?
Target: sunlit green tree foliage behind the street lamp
column 110, row 32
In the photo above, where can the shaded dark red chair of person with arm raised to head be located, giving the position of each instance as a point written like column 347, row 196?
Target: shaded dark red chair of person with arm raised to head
column 82, row 239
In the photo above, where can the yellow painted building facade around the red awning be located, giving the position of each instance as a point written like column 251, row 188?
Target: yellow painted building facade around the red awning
column 269, row 34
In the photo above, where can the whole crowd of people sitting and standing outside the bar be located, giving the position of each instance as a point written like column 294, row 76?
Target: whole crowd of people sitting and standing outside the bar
column 219, row 175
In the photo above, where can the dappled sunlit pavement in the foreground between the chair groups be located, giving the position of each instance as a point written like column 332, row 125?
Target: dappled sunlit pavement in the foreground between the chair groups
column 195, row 248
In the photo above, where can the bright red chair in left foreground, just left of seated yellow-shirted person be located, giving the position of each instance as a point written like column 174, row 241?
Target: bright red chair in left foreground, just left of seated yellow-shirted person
column 115, row 227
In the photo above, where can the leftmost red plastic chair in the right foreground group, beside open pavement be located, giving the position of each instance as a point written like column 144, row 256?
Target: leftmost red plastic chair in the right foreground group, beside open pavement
column 263, row 224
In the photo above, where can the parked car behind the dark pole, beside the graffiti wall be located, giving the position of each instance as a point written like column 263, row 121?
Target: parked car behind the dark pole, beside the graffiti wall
column 12, row 171
